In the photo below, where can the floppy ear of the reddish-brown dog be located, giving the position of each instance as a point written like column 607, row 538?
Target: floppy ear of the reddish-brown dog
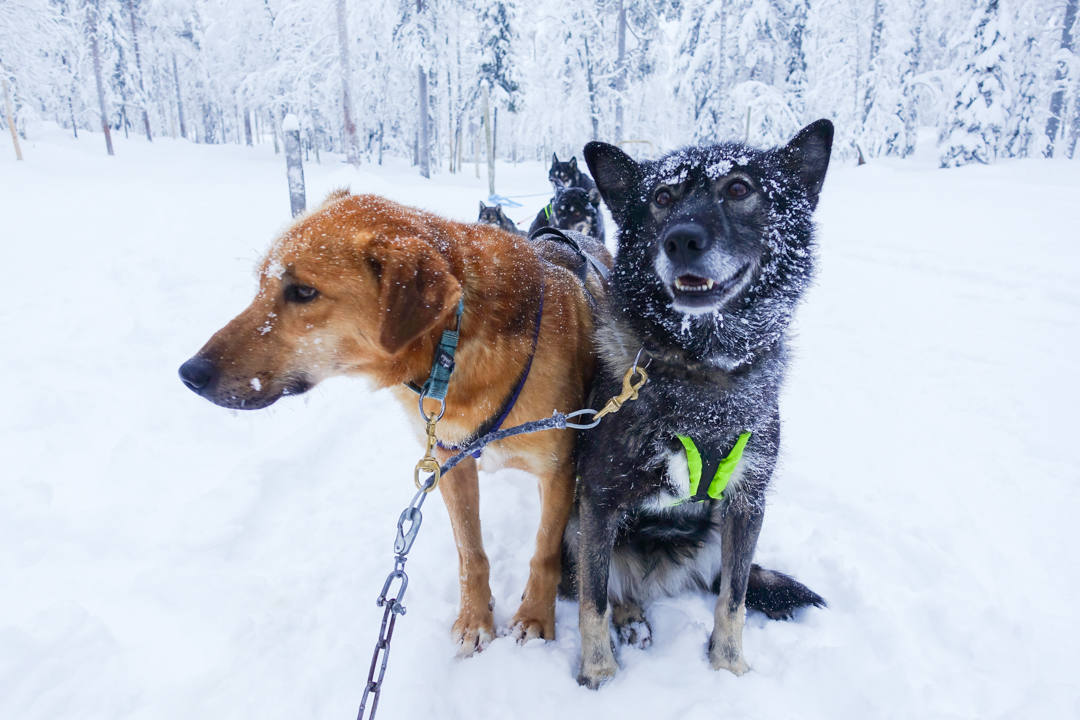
column 416, row 289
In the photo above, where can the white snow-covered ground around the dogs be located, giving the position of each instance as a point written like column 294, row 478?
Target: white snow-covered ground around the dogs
column 163, row 559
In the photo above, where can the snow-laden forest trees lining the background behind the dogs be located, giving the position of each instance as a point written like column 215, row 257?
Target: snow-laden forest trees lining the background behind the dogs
column 449, row 83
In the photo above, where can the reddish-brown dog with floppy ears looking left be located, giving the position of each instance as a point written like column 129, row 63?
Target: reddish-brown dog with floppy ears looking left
column 363, row 286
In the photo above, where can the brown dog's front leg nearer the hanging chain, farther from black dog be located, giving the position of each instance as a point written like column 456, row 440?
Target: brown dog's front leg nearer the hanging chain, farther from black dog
column 476, row 624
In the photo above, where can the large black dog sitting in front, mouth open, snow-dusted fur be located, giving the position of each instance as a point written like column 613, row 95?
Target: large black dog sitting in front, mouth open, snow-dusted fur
column 715, row 249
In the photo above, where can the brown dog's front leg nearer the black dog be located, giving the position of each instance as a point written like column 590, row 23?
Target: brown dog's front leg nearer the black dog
column 536, row 617
